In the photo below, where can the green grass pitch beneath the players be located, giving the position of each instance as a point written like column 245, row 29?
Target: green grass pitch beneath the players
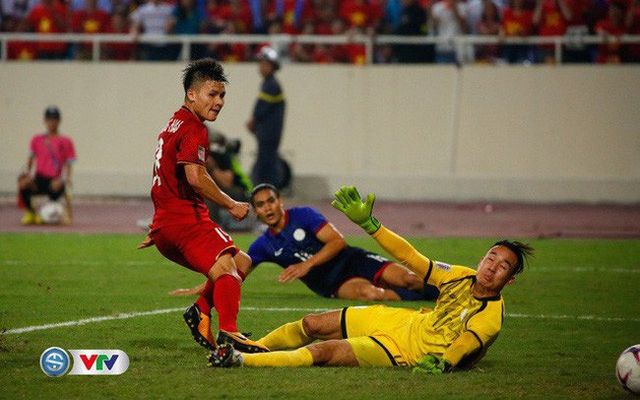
column 569, row 315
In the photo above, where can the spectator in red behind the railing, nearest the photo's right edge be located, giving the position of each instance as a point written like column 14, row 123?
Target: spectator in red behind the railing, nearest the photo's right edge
column 610, row 29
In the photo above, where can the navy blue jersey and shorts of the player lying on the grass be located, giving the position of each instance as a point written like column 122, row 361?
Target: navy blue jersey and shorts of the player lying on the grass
column 297, row 242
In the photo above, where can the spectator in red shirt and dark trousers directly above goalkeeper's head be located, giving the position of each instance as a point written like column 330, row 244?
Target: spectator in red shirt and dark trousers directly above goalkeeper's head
column 517, row 21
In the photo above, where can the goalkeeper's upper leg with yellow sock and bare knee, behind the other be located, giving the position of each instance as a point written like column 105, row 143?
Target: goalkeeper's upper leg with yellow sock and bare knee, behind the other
column 322, row 326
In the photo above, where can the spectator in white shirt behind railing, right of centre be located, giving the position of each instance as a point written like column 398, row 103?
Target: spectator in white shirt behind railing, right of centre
column 449, row 19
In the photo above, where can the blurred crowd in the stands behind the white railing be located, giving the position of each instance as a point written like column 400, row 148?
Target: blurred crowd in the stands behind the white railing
column 440, row 18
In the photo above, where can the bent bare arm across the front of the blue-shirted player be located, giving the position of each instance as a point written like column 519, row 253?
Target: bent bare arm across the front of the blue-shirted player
column 333, row 244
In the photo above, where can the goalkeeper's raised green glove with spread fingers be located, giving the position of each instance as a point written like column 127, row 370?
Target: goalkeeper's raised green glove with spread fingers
column 348, row 201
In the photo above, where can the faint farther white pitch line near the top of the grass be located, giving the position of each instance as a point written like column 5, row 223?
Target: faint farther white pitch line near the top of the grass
column 153, row 263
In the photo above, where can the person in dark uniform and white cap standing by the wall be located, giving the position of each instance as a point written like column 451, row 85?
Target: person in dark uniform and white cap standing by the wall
column 267, row 121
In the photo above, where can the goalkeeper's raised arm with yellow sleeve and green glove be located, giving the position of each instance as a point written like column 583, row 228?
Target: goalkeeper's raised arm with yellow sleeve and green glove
column 348, row 200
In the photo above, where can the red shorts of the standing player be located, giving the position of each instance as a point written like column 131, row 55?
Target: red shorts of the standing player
column 195, row 246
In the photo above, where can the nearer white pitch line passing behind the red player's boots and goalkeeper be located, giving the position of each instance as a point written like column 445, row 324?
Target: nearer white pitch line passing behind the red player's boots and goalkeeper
column 280, row 309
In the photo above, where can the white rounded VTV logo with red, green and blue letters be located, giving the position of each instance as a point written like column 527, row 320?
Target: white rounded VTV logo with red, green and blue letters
column 99, row 362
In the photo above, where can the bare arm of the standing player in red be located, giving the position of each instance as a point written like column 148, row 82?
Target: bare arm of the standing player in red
column 201, row 181
